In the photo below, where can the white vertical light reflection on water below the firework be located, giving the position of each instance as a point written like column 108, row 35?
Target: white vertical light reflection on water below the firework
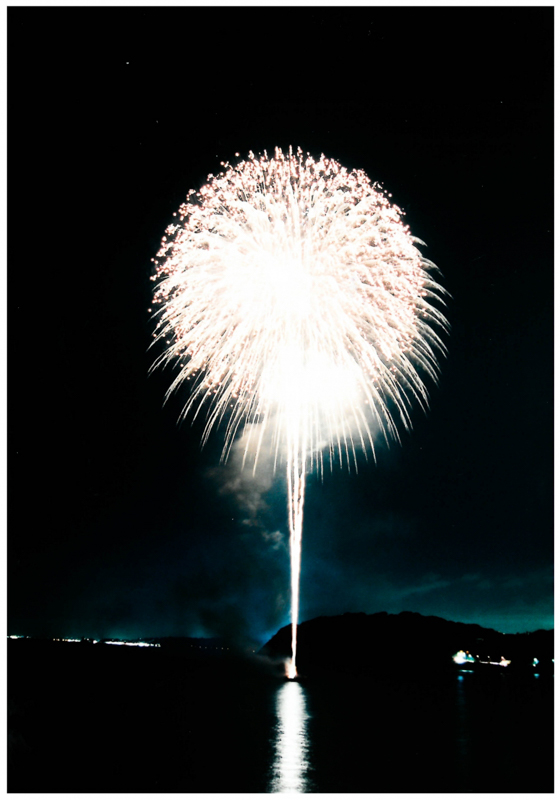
column 290, row 768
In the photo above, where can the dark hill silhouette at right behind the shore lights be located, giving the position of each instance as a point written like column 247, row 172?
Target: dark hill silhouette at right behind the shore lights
column 378, row 643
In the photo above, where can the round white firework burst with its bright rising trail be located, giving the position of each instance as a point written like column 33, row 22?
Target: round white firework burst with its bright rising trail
column 297, row 303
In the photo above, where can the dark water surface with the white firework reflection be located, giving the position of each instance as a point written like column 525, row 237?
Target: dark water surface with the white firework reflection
column 95, row 718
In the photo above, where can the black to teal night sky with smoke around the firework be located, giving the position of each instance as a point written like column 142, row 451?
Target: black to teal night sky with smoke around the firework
column 119, row 524
